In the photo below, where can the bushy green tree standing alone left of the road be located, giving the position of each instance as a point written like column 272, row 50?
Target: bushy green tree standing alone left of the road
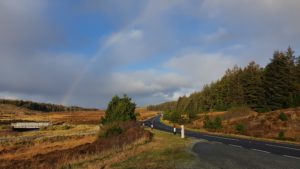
column 119, row 109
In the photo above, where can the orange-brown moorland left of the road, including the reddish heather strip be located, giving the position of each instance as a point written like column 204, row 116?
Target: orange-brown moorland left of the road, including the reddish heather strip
column 70, row 133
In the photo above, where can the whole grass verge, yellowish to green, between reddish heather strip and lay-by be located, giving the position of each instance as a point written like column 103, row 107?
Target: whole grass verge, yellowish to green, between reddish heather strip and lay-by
column 163, row 151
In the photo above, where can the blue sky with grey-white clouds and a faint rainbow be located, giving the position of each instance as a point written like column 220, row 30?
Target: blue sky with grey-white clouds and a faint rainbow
column 85, row 52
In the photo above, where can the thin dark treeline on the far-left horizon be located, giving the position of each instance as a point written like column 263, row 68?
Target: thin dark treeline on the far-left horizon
column 44, row 107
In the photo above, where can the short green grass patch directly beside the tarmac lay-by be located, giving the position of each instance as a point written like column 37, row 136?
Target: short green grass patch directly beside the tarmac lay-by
column 165, row 151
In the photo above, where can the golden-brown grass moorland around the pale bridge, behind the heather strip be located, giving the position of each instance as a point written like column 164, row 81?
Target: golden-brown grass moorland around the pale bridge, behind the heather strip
column 68, row 132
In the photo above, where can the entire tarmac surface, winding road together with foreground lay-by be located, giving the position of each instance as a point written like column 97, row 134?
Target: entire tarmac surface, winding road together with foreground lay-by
column 218, row 152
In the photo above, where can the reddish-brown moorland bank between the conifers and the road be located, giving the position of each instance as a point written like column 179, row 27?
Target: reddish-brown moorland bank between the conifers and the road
column 261, row 125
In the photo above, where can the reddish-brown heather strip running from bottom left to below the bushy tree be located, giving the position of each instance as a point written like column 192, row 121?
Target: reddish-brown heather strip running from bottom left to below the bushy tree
column 54, row 159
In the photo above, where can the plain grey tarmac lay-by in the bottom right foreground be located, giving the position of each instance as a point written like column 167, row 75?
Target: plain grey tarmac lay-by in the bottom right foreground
column 212, row 155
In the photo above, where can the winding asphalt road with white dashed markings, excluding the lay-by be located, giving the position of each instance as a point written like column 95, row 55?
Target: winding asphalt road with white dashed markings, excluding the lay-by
column 284, row 150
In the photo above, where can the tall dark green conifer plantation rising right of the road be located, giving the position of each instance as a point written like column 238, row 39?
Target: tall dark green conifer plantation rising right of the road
column 274, row 87
